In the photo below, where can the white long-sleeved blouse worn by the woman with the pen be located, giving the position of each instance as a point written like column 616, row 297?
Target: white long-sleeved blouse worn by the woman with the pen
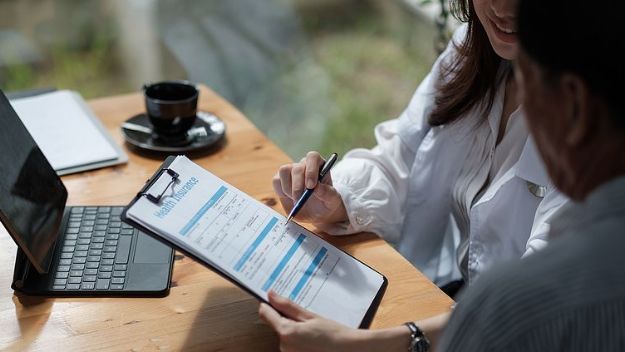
column 452, row 200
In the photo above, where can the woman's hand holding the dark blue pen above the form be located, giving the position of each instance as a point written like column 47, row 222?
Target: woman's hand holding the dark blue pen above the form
column 325, row 206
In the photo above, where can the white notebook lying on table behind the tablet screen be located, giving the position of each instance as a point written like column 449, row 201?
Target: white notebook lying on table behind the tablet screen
column 68, row 132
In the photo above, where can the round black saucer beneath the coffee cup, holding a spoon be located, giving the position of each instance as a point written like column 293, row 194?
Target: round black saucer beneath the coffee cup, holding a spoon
column 205, row 134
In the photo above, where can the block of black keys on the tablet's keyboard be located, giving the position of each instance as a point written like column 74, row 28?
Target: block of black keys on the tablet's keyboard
column 95, row 250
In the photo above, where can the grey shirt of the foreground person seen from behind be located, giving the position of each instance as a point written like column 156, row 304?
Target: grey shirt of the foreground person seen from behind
column 569, row 297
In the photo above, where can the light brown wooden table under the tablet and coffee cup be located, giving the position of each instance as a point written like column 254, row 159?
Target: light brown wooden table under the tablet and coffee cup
column 203, row 311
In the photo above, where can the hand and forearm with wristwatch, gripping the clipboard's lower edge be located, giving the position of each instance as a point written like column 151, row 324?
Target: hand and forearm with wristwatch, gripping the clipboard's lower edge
column 302, row 331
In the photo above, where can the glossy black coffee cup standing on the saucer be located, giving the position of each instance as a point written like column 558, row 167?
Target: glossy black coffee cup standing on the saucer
column 171, row 107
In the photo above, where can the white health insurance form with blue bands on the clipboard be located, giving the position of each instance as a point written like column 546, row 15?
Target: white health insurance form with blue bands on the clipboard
column 252, row 244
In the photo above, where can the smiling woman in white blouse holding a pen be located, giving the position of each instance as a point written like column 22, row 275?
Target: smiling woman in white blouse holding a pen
column 455, row 183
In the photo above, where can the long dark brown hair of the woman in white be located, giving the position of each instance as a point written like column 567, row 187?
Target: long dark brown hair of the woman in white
column 471, row 76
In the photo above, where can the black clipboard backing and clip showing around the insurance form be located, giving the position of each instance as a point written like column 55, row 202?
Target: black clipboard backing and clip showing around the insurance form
column 145, row 192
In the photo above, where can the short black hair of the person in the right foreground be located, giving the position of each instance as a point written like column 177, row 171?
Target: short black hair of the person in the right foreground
column 581, row 38
